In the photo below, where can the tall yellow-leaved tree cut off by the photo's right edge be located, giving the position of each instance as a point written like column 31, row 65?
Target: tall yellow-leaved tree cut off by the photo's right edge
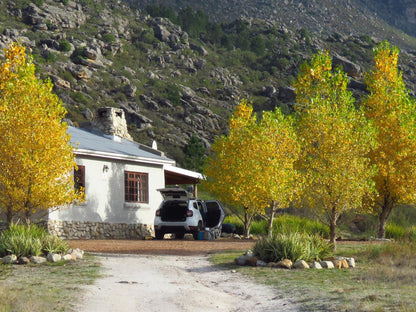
column 393, row 113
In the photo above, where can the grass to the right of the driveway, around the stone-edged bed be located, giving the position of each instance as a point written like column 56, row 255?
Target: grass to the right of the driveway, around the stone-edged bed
column 384, row 279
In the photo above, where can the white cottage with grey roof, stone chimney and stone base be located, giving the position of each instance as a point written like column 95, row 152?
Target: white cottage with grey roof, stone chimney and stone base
column 121, row 178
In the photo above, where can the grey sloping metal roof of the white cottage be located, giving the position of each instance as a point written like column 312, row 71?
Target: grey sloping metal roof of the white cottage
column 85, row 140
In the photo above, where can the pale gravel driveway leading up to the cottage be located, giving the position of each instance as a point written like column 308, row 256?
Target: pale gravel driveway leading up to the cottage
column 170, row 283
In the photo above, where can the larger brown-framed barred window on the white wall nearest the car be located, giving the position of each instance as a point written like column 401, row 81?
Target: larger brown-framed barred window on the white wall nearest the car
column 136, row 187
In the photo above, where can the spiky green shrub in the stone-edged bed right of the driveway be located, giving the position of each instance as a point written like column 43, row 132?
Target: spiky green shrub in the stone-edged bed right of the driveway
column 294, row 246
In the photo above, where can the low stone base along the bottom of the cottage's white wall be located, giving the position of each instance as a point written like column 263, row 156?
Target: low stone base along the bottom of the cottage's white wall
column 98, row 230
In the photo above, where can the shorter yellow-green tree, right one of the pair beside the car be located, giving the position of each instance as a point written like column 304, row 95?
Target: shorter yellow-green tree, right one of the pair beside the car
column 275, row 151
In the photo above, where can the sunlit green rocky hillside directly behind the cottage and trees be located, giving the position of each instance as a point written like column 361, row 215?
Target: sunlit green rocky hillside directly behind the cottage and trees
column 174, row 83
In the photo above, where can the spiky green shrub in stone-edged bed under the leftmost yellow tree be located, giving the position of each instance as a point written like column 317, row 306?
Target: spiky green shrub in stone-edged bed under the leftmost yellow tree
column 29, row 240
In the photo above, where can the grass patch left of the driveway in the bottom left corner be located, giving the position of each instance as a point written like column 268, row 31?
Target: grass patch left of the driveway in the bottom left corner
column 46, row 287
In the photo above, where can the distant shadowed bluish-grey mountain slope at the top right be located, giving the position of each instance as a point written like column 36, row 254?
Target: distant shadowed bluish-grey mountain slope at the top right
column 374, row 18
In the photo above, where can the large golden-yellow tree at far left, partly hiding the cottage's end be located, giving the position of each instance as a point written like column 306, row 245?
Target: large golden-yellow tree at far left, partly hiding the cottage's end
column 35, row 155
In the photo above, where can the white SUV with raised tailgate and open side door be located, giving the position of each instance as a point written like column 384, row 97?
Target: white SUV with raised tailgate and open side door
column 179, row 214
